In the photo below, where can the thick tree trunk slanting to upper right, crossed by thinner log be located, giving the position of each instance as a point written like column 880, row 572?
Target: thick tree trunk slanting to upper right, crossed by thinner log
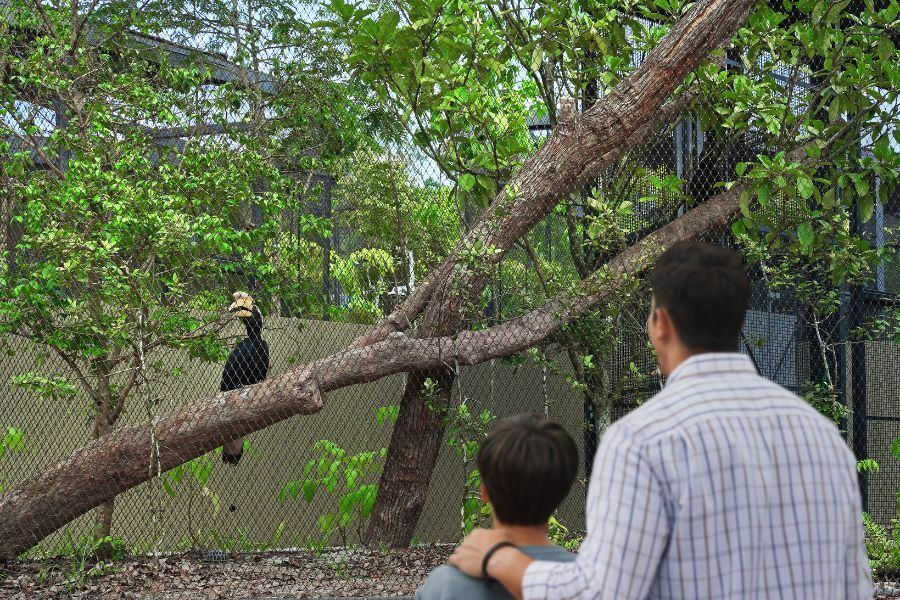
column 579, row 149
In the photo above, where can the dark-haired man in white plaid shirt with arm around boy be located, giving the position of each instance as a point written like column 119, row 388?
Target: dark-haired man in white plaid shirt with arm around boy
column 724, row 485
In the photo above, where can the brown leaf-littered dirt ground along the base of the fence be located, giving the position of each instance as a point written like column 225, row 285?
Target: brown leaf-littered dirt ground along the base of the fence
column 346, row 573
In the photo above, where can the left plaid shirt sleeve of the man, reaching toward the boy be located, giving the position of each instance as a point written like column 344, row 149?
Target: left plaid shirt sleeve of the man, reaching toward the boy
column 628, row 529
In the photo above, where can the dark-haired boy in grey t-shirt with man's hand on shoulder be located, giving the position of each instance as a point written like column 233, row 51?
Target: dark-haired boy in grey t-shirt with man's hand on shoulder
column 527, row 466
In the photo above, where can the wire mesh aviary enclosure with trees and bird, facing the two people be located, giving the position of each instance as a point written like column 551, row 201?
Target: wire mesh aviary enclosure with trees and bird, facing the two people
column 229, row 318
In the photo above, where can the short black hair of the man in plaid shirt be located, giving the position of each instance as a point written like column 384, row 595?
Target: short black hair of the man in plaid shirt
column 705, row 290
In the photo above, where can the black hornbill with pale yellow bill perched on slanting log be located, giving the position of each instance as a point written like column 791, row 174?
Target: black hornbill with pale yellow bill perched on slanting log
column 247, row 364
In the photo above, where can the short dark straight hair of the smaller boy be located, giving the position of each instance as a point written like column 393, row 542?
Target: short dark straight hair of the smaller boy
column 527, row 465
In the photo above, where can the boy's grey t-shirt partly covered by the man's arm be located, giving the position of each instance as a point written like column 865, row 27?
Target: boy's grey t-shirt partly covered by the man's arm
column 446, row 582
